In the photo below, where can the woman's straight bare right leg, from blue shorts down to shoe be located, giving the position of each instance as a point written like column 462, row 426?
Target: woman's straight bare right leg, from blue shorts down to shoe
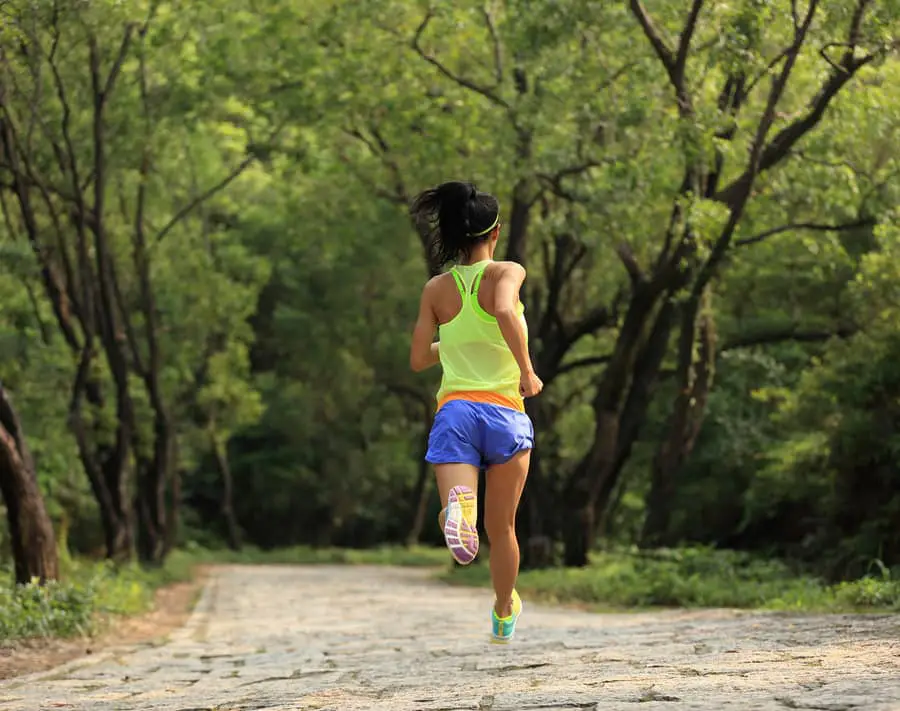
column 504, row 486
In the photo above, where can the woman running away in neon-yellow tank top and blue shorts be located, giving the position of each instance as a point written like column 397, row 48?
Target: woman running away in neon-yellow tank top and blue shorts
column 483, row 351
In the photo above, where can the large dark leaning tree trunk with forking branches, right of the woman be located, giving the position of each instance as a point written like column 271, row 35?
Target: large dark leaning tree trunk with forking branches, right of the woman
column 675, row 286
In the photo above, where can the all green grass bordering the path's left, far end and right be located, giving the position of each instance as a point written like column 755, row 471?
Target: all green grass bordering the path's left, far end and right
column 91, row 592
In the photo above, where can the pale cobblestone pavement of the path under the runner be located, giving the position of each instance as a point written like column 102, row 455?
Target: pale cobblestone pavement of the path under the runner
column 354, row 638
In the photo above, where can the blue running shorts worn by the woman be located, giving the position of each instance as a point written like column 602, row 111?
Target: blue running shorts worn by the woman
column 478, row 433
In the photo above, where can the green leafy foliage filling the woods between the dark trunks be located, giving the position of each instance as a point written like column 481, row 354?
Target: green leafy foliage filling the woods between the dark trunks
column 285, row 300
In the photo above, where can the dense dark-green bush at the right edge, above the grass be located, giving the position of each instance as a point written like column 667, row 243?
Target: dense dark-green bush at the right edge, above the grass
column 828, row 488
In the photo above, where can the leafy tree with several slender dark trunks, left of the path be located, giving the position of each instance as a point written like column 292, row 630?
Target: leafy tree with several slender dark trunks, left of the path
column 100, row 117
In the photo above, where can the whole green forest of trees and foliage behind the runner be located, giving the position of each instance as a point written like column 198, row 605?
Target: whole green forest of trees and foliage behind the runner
column 208, row 278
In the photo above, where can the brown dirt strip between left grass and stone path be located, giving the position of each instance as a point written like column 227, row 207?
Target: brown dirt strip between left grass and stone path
column 172, row 606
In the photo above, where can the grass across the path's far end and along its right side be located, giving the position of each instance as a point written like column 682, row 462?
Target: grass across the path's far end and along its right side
column 625, row 579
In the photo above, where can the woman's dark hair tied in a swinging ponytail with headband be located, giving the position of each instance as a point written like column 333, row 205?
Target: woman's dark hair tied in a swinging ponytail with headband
column 453, row 218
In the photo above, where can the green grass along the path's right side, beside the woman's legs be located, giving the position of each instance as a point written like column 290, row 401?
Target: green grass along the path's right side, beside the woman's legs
column 693, row 578
